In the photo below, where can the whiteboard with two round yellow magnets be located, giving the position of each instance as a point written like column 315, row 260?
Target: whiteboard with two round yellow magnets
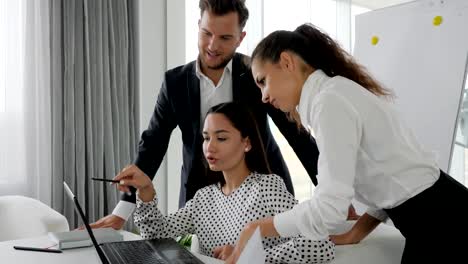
column 424, row 64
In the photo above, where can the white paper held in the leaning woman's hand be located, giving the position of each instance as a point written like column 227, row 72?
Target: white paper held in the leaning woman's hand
column 253, row 252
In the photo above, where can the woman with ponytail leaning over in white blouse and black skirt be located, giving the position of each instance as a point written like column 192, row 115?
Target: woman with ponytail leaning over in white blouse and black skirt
column 366, row 152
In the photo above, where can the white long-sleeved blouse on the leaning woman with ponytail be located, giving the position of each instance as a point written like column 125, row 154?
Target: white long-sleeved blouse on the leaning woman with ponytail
column 366, row 151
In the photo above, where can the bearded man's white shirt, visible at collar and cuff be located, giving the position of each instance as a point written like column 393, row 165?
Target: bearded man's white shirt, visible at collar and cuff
column 210, row 95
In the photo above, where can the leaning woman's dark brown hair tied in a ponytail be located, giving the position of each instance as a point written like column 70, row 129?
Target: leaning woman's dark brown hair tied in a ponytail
column 320, row 51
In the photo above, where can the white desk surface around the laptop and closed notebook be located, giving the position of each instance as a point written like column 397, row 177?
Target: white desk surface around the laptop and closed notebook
column 86, row 255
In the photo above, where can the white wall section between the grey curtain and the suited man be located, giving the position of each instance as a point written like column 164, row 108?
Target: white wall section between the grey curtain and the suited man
column 161, row 47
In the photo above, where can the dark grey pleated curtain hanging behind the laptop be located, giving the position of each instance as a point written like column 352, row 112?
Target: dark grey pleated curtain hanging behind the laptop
column 94, row 101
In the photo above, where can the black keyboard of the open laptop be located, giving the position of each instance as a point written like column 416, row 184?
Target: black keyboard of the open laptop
column 137, row 253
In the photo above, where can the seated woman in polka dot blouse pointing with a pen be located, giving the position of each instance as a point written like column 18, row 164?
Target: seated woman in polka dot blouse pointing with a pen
column 245, row 191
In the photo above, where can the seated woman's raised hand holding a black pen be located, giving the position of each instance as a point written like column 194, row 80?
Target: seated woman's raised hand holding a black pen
column 133, row 176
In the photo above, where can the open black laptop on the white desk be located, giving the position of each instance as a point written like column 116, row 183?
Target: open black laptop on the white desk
column 155, row 251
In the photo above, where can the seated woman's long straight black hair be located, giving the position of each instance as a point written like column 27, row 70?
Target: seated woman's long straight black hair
column 243, row 120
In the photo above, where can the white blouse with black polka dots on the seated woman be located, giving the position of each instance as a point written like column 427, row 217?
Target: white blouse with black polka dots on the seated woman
column 217, row 219
